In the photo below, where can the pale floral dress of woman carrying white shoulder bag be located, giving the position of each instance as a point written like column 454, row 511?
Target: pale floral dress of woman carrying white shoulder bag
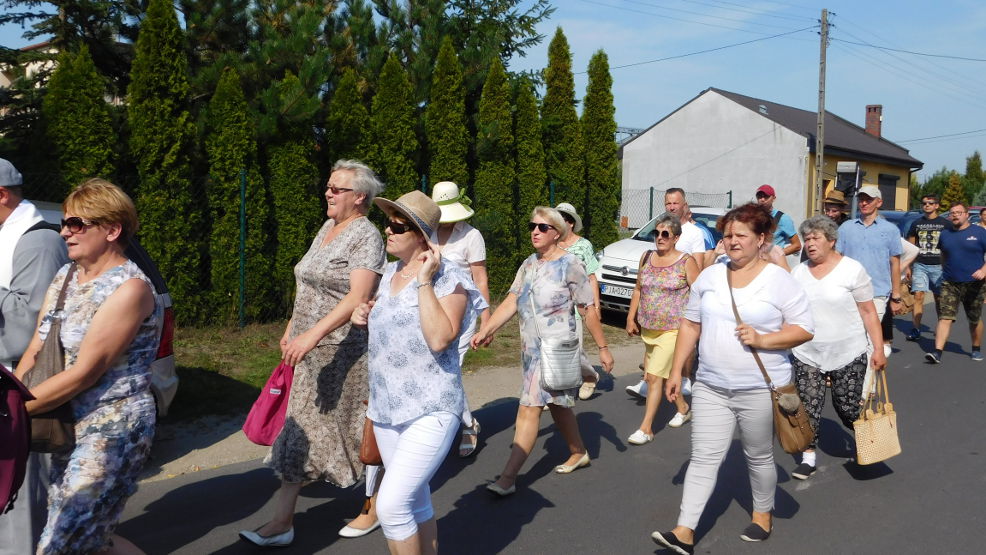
column 547, row 291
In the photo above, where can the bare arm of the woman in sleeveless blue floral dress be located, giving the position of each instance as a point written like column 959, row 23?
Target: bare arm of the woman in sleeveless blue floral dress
column 111, row 331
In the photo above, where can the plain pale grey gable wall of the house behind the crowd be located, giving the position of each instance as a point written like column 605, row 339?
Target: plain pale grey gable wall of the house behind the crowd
column 713, row 145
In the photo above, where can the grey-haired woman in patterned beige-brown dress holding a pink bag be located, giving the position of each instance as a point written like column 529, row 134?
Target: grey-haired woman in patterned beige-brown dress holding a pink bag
column 323, row 426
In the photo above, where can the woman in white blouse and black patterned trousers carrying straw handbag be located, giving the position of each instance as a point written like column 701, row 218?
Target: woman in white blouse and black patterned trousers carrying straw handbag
column 841, row 297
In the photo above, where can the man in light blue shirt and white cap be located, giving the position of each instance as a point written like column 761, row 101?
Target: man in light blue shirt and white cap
column 875, row 243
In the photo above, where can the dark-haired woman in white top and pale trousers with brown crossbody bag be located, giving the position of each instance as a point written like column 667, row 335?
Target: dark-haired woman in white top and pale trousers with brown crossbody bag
column 729, row 389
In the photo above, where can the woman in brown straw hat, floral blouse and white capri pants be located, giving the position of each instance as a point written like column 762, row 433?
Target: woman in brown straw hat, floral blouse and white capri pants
column 416, row 396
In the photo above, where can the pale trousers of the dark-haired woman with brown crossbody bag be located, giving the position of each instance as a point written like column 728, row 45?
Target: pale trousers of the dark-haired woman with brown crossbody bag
column 716, row 413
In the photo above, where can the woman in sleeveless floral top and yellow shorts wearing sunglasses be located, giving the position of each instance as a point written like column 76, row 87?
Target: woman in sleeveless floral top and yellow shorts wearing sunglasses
column 656, row 306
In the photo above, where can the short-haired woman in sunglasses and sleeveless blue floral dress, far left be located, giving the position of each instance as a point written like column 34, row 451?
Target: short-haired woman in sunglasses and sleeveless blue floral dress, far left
column 109, row 333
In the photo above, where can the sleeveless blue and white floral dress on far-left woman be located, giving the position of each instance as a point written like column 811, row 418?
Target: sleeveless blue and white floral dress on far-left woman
column 114, row 420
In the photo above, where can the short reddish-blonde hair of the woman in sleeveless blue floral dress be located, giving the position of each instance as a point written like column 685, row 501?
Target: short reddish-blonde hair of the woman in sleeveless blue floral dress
column 101, row 201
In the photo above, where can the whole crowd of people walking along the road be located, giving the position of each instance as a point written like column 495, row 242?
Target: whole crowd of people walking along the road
column 382, row 344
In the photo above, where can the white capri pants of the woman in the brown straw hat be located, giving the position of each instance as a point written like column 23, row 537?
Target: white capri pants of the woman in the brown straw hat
column 411, row 453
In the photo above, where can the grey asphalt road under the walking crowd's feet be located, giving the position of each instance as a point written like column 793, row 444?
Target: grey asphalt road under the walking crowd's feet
column 928, row 499
